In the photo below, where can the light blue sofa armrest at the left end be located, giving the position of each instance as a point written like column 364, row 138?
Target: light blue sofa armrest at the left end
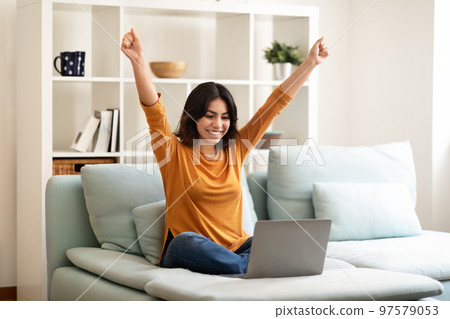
column 67, row 221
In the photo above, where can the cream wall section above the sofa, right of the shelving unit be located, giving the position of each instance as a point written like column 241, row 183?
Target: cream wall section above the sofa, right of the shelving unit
column 391, row 83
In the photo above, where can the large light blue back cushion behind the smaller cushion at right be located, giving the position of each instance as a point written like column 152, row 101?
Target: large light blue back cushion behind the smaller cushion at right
column 292, row 172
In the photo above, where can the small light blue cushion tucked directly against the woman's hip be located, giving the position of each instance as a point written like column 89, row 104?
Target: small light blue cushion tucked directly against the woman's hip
column 149, row 220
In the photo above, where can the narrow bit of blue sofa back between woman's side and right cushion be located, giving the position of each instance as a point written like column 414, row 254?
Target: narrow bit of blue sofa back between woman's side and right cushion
column 257, row 184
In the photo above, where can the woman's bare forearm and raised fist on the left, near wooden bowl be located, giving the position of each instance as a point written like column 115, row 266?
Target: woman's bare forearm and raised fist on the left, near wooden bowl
column 131, row 46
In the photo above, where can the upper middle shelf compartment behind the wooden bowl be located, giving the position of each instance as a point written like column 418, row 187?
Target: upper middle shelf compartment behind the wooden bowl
column 214, row 51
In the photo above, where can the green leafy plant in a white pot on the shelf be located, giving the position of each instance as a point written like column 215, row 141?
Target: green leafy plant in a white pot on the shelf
column 282, row 56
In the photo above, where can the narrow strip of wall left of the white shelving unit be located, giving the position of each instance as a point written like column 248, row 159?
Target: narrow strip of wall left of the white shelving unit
column 7, row 145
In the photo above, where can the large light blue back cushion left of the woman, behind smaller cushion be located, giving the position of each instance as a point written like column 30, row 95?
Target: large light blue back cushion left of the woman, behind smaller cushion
column 111, row 192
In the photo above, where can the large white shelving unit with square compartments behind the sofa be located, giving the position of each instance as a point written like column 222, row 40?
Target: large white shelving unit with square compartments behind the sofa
column 222, row 42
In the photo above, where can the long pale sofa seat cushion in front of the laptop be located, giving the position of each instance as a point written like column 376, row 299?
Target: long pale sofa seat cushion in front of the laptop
column 349, row 284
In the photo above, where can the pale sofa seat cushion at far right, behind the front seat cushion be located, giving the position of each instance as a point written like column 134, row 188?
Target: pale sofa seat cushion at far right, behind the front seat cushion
column 427, row 254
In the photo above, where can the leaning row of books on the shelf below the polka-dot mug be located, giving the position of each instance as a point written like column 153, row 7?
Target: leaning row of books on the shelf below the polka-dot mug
column 101, row 130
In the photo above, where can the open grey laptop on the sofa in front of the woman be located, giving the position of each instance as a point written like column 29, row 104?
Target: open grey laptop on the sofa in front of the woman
column 288, row 248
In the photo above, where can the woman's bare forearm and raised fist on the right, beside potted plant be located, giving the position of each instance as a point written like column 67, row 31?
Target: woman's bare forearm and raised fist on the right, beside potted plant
column 293, row 84
